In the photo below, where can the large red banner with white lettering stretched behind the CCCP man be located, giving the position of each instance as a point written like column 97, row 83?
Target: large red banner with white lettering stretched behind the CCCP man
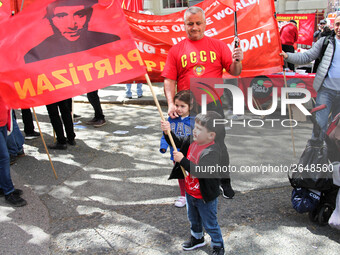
column 257, row 31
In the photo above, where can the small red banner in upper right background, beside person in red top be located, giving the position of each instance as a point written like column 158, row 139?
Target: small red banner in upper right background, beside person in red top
column 305, row 25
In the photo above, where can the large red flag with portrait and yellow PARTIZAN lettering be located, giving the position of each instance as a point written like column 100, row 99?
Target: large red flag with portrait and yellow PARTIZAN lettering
column 54, row 50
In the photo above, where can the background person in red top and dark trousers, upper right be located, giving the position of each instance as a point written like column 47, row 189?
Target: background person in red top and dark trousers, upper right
column 289, row 36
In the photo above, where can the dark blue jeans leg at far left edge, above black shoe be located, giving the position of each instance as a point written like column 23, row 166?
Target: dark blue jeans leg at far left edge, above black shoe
column 5, row 175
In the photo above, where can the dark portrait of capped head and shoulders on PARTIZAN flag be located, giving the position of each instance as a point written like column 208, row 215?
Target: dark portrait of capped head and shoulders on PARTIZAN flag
column 69, row 21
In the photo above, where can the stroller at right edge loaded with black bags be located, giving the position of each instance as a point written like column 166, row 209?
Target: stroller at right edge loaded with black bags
column 314, row 191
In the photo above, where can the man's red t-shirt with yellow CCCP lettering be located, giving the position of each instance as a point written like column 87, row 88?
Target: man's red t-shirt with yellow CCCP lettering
column 204, row 58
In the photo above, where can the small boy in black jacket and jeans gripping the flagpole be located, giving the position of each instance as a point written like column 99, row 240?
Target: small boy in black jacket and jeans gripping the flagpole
column 201, row 193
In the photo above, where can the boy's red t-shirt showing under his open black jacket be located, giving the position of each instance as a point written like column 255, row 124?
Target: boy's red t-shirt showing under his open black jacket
column 192, row 185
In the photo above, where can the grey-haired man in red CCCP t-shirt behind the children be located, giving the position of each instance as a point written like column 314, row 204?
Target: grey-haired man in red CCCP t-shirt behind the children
column 199, row 56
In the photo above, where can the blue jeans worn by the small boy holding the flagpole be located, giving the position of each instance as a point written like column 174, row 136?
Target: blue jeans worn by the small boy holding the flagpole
column 204, row 214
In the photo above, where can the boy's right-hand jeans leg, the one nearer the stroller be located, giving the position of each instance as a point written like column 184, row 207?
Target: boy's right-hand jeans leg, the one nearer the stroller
column 208, row 213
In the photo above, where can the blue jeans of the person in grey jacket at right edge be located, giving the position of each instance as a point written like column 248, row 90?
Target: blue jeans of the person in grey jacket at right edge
column 331, row 98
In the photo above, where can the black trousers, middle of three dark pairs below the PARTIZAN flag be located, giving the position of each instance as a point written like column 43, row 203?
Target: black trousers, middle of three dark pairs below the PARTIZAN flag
column 65, row 112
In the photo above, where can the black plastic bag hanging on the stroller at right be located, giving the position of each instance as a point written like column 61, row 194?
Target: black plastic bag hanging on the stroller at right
column 313, row 170
